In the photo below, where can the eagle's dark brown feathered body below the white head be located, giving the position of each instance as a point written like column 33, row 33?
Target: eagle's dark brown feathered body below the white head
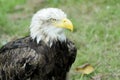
column 24, row 59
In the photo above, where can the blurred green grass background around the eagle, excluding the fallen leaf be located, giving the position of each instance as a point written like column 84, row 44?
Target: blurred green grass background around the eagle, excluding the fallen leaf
column 96, row 33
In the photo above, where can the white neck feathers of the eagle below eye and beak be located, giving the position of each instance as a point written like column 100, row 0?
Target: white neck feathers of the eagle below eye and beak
column 47, row 34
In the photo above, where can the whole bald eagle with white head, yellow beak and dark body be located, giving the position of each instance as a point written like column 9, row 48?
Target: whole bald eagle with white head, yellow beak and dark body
column 44, row 55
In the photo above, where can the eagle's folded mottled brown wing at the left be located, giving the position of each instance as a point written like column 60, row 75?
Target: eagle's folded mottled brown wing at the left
column 19, row 63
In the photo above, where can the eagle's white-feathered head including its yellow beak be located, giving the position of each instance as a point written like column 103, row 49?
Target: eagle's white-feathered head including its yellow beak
column 48, row 24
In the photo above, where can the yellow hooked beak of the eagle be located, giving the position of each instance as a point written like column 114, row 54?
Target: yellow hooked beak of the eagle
column 65, row 23
